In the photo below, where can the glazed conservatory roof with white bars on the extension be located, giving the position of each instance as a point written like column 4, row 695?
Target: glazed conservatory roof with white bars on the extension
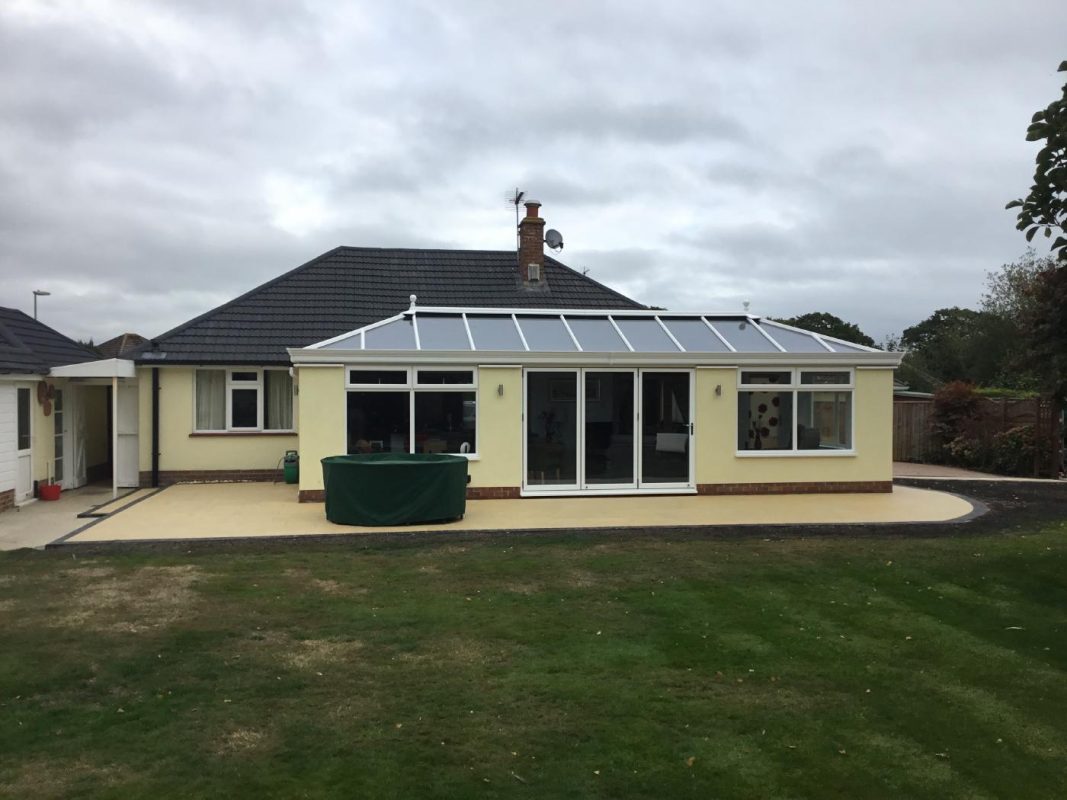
column 527, row 335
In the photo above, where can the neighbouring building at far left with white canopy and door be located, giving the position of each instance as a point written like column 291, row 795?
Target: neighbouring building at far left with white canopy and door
column 57, row 406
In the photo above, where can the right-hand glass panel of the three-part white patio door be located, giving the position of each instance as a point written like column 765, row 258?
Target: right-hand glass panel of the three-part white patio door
column 665, row 428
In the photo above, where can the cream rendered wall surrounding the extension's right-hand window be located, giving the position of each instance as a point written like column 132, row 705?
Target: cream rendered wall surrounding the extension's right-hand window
column 716, row 435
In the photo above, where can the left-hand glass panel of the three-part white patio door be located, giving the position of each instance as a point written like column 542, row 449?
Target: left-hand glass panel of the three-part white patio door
column 552, row 429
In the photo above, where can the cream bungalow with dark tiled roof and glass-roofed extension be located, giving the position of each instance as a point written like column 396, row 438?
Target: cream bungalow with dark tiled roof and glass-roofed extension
column 549, row 382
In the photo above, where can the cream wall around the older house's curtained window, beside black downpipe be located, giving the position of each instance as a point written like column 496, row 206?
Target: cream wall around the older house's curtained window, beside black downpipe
column 182, row 452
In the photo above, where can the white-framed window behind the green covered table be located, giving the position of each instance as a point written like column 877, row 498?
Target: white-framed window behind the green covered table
column 422, row 410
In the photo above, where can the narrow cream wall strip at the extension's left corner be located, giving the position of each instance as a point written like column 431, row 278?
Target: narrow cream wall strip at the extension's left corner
column 323, row 421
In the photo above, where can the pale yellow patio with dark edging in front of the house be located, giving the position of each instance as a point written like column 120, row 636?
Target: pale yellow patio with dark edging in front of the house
column 240, row 510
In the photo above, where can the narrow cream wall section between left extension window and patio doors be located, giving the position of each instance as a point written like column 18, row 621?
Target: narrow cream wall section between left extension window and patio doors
column 500, row 460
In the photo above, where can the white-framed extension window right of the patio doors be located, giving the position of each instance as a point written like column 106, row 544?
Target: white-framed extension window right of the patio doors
column 799, row 411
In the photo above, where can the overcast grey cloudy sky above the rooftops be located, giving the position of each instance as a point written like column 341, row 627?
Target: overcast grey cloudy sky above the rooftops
column 161, row 158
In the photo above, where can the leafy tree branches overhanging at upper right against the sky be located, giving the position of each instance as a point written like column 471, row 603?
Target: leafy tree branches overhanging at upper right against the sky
column 1045, row 209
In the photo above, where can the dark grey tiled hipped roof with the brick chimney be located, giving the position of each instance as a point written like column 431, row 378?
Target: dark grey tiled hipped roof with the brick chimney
column 352, row 287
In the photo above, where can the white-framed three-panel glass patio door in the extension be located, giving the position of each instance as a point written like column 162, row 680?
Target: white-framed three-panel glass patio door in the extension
column 608, row 431
